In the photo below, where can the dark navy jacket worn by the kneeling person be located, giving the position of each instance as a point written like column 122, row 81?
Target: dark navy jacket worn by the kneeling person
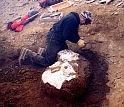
column 67, row 28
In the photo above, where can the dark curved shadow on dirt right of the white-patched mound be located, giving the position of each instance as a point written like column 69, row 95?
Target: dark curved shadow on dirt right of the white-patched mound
column 97, row 88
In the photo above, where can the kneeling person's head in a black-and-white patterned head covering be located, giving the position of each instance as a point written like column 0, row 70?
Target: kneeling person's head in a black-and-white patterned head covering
column 85, row 18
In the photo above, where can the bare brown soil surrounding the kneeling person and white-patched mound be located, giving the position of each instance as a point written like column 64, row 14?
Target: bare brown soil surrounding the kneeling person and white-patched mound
column 21, row 86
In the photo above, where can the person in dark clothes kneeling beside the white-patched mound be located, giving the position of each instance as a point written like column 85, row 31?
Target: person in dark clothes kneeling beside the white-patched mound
column 64, row 29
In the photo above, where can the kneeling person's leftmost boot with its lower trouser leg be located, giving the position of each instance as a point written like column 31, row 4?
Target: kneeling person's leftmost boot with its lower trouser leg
column 26, row 56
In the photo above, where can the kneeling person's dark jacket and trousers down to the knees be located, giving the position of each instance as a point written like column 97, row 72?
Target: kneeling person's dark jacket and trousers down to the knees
column 65, row 29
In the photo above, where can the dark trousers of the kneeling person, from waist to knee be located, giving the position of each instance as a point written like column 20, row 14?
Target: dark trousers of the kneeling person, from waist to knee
column 53, row 46
